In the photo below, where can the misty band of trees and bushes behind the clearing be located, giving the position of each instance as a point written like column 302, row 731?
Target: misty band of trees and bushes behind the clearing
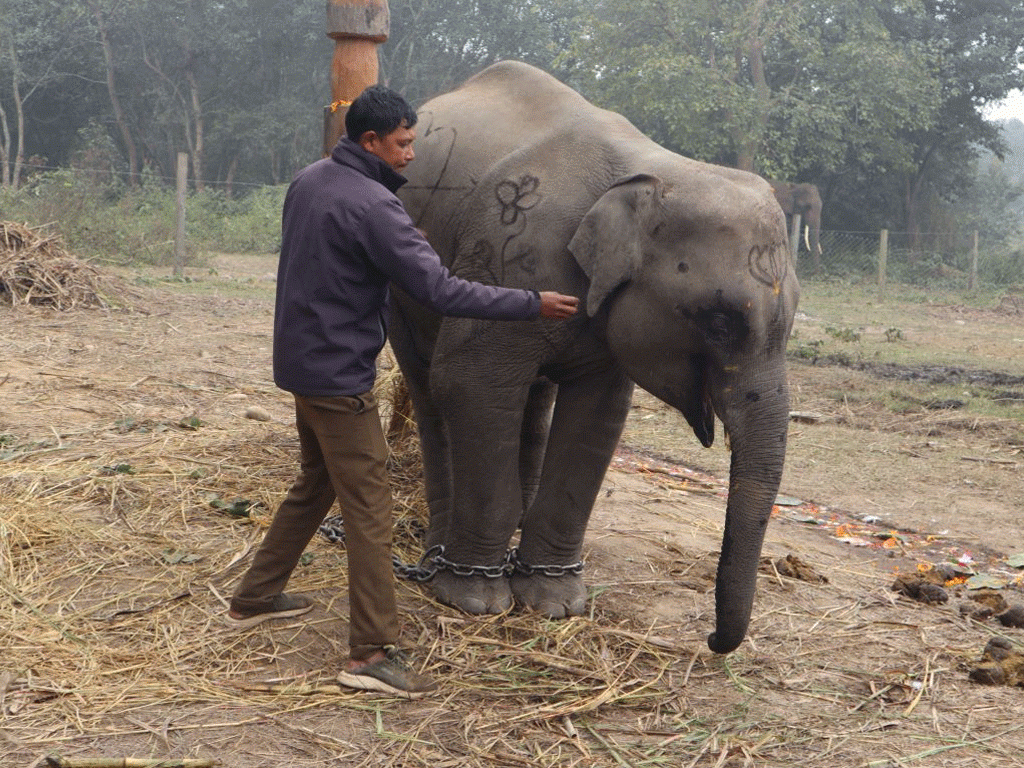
column 880, row 104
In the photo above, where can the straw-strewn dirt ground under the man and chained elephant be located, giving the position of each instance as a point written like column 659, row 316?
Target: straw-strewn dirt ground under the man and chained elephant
column 126, row 438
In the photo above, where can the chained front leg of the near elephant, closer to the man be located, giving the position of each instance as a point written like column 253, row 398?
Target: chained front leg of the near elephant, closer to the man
column 485, row 423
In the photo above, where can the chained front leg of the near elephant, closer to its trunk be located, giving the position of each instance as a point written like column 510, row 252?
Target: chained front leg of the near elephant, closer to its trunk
column 585, row 431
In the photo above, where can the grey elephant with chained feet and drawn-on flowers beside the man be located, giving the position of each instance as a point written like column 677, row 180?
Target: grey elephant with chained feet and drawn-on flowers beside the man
column 688, row 290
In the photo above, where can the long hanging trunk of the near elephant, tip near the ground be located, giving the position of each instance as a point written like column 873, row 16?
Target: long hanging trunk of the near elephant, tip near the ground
column 757, row 429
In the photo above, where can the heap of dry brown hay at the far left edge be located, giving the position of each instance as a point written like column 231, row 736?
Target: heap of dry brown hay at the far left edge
column 35, row 269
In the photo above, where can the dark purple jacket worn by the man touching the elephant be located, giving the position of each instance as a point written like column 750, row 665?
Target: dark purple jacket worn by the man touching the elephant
column 345, row 237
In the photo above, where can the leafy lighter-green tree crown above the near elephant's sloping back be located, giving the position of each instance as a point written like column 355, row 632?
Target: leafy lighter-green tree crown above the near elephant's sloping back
column 789, row 91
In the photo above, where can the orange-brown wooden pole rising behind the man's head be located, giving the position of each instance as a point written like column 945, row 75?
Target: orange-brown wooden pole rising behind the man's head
column 357, row 27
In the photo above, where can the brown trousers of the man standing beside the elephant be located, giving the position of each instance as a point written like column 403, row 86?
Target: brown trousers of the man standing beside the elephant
column 344, row 455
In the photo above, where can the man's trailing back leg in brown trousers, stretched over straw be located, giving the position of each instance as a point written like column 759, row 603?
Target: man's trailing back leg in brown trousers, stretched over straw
column 294, row 525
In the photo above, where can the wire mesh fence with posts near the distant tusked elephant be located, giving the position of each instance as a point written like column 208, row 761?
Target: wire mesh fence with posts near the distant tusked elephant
column 899, row 262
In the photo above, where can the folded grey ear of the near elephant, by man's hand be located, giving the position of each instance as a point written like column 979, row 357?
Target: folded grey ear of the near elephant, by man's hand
column 608, row 243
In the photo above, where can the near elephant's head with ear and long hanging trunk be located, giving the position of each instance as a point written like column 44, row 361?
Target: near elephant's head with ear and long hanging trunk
column 694, row 288
